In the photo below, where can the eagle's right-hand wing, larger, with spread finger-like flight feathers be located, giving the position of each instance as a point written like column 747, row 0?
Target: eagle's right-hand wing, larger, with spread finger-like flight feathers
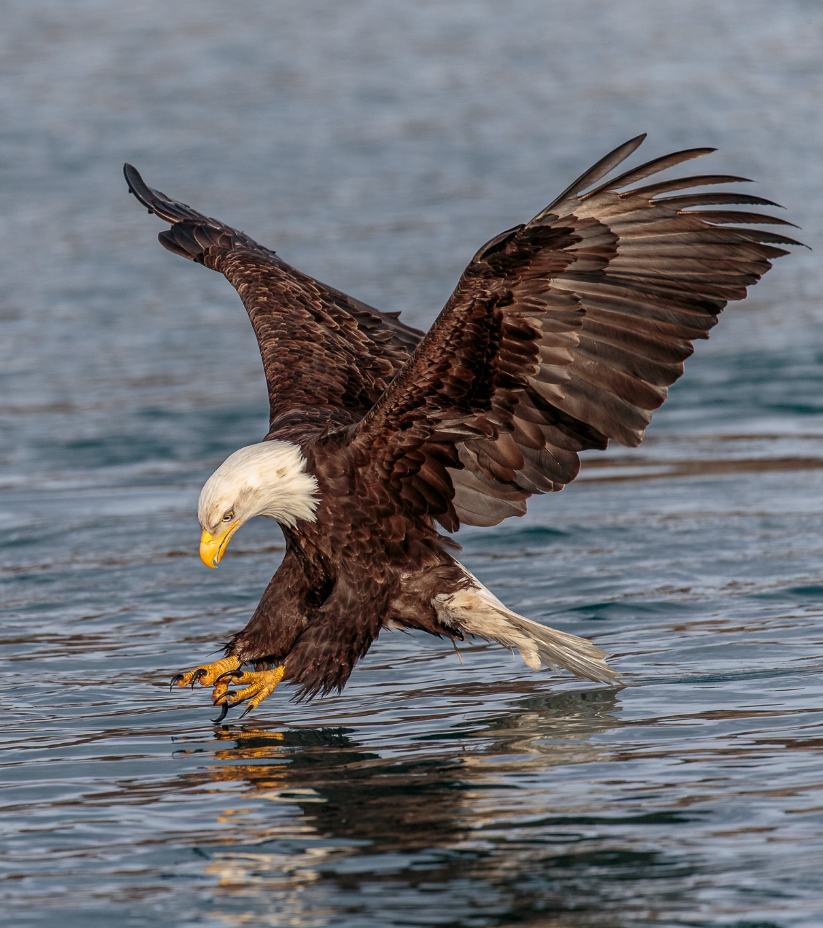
column 562, row 334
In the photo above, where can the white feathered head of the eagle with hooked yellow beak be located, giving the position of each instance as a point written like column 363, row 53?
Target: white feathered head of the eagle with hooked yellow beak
column 268, row 479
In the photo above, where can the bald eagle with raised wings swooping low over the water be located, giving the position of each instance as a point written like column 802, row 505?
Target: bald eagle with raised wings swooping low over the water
column 562, row 333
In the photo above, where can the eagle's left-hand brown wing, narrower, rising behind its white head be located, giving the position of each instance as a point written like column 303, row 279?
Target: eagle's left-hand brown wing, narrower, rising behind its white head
column 327, row 357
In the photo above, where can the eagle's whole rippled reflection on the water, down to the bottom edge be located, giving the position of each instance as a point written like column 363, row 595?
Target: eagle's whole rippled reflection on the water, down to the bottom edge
column 456, row 825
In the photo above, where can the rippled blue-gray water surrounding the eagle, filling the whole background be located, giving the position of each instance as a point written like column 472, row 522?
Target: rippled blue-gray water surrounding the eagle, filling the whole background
column 376, row 146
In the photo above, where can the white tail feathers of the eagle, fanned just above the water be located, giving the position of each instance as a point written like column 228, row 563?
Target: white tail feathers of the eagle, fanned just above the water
column 477, row 611
